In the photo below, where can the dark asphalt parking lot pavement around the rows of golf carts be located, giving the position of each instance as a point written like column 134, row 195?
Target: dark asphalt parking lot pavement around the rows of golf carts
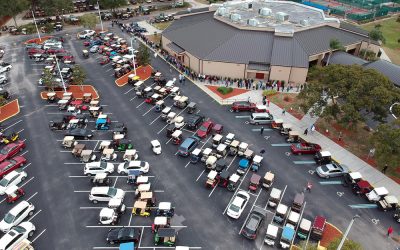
column 66, row 219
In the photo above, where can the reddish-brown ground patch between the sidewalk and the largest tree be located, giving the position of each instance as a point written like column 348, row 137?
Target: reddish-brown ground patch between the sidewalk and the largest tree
column 289, row 101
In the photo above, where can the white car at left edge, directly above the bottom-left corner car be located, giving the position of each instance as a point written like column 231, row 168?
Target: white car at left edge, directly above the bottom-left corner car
column 16, row 215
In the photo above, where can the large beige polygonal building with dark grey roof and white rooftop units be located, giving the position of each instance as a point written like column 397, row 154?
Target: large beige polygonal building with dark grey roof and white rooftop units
column 269, row 40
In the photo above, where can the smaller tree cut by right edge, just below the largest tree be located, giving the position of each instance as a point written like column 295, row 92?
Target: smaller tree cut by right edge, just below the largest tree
column 386, row 140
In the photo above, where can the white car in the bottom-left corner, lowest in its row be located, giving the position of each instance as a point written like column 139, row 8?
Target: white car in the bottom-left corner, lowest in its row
column 16, row 235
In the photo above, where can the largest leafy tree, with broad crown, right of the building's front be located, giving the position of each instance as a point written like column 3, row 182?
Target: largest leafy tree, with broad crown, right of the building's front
column 342, row 92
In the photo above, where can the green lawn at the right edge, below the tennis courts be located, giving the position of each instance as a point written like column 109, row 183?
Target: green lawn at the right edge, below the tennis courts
column 391, row 31
